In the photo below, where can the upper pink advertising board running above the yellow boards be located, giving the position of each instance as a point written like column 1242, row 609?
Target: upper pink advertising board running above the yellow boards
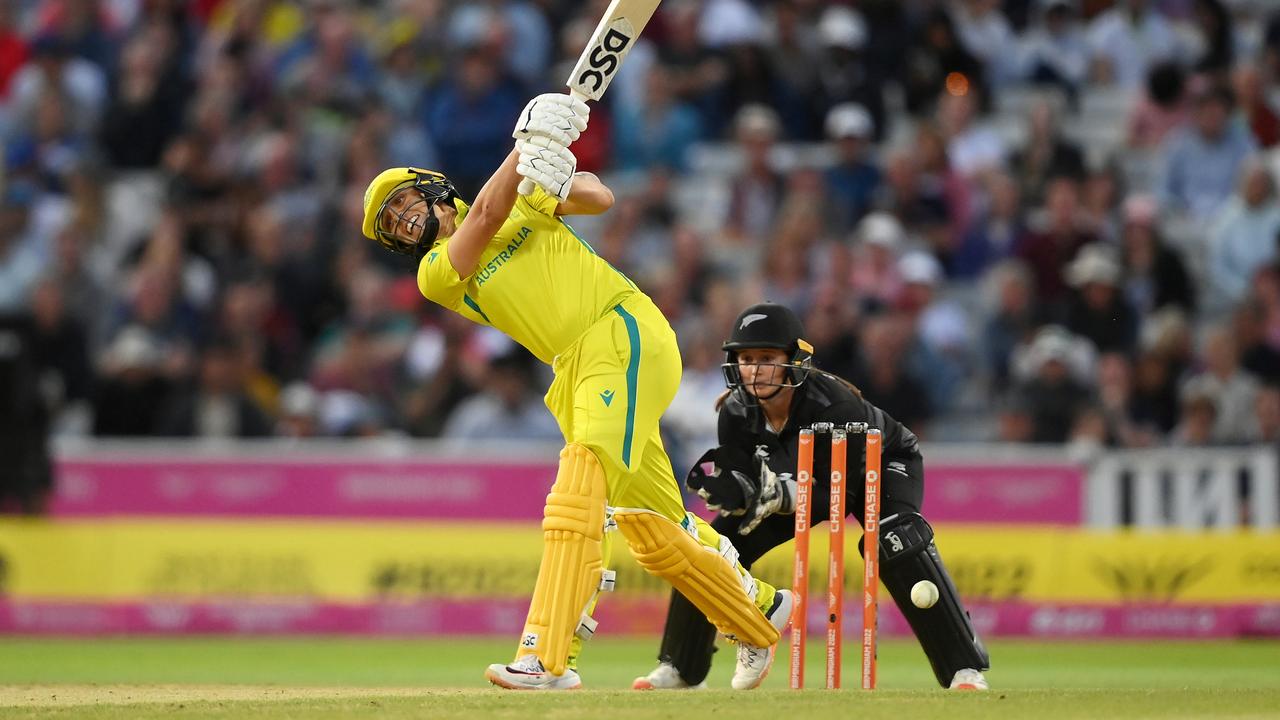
column 463, row 489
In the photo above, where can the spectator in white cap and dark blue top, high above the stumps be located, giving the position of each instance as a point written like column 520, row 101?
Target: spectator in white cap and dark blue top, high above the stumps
column 853, row 183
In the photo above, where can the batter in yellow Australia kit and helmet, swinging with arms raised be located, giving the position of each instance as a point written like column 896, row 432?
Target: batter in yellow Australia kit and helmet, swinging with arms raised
column 513, row 263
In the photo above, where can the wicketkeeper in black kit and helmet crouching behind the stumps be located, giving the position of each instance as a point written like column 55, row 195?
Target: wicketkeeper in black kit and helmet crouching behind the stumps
column 774, row 393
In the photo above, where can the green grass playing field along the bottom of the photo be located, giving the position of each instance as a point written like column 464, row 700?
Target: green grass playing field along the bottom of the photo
column 278, row 678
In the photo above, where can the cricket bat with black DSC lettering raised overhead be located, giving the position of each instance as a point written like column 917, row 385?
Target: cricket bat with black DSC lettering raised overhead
column 619, row 30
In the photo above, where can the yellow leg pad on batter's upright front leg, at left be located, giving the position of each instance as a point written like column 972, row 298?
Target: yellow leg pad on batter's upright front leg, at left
column 573, row 564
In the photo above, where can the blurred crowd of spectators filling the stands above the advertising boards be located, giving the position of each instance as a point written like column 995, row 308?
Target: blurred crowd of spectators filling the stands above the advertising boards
column 1026, row 221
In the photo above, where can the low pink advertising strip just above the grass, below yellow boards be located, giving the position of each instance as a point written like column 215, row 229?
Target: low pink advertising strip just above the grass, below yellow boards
column 492, row 617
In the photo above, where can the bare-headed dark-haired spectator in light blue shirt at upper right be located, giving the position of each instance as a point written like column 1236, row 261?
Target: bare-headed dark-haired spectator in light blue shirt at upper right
column 1203, row 161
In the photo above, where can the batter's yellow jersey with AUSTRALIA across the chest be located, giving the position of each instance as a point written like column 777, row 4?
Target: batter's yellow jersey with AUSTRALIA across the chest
column 537, row 280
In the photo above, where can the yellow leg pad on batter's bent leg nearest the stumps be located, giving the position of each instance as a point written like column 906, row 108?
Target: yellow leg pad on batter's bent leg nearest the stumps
column 710, row 581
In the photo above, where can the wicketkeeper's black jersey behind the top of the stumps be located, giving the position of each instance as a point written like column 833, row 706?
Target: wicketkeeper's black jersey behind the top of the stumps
column 821, row 399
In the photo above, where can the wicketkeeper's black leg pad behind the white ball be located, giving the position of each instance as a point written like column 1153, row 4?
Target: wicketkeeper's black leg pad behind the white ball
column 945, row 632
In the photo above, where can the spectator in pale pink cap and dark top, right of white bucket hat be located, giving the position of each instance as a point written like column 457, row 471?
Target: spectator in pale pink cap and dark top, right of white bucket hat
column 1155, row 276
